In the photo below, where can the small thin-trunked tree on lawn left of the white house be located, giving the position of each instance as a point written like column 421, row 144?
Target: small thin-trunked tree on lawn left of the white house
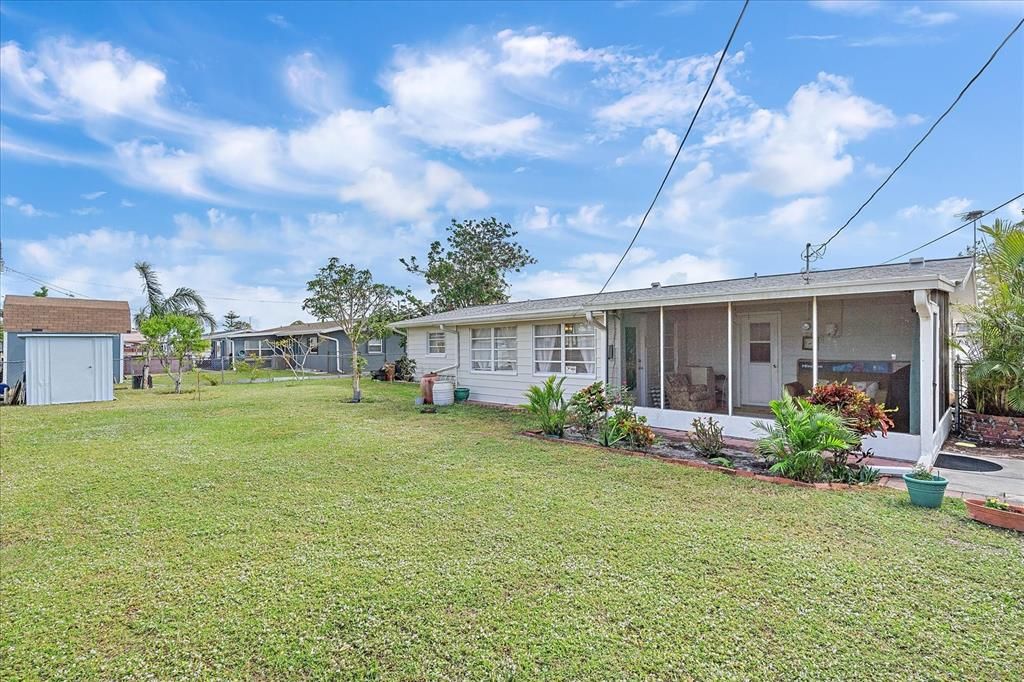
column 350, row 299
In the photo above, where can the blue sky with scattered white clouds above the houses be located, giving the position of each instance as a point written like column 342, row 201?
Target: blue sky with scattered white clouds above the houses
column 237, row 147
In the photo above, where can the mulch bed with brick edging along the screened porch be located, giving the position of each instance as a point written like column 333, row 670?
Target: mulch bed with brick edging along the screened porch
column 747, row 465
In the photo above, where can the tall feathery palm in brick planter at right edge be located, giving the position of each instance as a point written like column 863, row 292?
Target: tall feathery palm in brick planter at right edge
column 996, row 324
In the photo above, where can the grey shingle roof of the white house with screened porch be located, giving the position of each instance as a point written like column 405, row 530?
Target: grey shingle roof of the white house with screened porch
column 951, row 270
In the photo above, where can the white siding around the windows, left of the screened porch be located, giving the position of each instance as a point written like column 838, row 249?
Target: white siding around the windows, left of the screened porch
column 497, row 388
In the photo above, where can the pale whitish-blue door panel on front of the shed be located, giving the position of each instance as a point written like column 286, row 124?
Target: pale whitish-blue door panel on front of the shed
column 69, row 369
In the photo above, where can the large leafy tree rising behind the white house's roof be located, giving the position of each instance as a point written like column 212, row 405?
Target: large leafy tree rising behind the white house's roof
column 473, row 268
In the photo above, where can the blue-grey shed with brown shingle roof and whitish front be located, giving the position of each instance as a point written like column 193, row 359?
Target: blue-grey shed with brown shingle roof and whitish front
column 66, row 350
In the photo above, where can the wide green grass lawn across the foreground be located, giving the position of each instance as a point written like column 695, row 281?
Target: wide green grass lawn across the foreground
column 276, row 531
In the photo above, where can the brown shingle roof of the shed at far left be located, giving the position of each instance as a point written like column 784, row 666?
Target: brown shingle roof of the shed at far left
column 66, row 316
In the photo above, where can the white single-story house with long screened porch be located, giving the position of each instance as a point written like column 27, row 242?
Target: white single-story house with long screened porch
column 724, row 349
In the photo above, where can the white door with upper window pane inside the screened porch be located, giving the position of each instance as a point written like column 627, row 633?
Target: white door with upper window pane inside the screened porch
column 759, row 357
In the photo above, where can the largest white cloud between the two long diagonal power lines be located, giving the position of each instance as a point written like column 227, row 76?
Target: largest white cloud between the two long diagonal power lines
column 803, row 149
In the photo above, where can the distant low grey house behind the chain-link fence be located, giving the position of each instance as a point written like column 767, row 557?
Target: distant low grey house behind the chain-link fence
column 331, row 352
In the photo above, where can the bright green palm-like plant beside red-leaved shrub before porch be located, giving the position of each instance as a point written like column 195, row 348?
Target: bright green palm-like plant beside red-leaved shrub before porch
column 795, row 443
